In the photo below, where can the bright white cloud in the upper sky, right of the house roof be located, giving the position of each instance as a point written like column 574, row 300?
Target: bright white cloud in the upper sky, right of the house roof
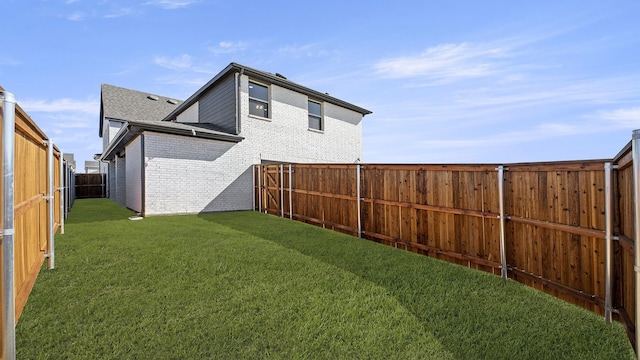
column 445, row 62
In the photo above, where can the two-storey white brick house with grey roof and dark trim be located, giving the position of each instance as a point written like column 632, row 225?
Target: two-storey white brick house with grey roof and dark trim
column 167, row 156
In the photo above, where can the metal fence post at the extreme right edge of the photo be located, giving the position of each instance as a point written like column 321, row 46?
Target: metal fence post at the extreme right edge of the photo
column 635, row 146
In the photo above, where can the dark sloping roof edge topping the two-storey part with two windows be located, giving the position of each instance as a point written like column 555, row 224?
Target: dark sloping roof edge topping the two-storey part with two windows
column 267, row 77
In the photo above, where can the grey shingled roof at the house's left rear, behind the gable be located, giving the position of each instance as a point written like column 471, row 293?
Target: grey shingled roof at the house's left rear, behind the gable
column 119, row 103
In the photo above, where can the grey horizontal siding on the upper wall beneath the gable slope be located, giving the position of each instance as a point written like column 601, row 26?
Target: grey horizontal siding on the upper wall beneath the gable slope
column 218, row 105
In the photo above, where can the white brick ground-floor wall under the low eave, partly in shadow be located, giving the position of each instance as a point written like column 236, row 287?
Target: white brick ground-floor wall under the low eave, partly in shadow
column 191, row 175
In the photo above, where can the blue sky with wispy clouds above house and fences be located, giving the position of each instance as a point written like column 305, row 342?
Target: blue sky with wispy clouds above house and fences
column 447, row 81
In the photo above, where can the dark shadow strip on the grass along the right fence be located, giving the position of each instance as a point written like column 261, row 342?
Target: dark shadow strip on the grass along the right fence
column 468, row 311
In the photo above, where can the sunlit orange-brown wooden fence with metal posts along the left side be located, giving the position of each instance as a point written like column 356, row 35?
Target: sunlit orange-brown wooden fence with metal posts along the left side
column 33, row 200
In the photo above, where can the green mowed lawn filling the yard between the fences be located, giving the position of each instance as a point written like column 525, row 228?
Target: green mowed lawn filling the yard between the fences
column 248, row 285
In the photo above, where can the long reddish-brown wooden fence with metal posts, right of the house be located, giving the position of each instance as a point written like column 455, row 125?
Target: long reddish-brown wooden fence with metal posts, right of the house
column 565, row 228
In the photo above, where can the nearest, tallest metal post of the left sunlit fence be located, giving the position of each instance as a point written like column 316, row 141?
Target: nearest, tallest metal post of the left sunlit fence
column 8, row 301
